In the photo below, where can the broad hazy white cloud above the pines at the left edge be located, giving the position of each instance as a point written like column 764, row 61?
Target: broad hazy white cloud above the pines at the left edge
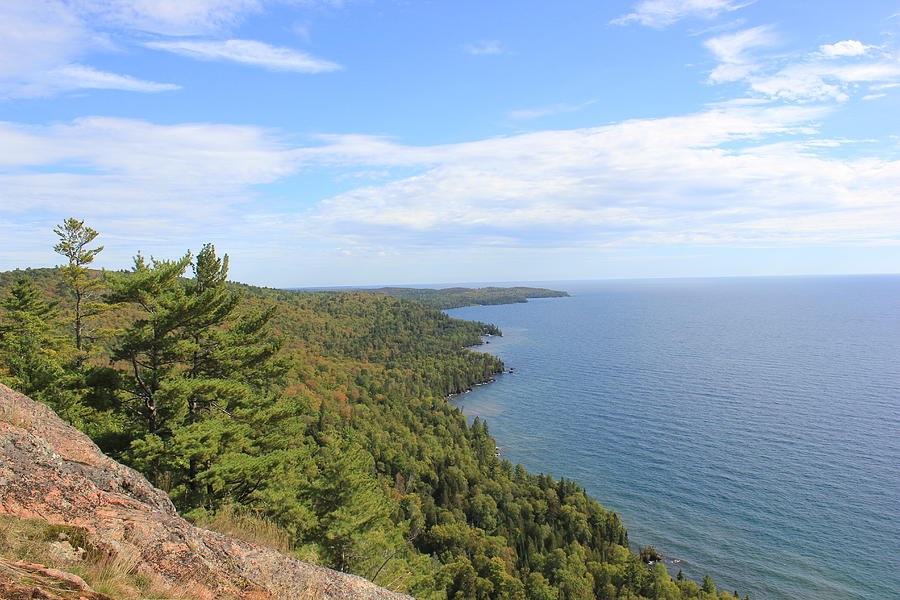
column 107, row 166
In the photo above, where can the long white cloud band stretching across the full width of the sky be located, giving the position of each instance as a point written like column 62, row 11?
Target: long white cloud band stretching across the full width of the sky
column 737, row 173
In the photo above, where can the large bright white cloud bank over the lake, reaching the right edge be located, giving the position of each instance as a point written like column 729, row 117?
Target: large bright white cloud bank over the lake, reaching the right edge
column 638, row 182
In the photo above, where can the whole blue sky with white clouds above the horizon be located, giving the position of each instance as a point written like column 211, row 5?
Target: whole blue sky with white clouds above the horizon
column 368, row 142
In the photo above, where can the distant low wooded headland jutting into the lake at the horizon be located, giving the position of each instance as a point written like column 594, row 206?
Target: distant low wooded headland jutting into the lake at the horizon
column 458, row 296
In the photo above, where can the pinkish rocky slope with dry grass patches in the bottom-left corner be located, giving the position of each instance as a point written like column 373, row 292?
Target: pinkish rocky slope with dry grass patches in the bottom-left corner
column 90, row 509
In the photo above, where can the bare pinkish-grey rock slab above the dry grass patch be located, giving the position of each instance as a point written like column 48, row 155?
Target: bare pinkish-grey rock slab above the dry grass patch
column 53, row 472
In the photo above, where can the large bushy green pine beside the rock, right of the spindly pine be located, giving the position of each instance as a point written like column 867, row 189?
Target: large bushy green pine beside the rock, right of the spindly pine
column 194, row 366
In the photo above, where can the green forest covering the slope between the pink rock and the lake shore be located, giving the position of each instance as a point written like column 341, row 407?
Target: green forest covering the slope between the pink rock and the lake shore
column 323, row 413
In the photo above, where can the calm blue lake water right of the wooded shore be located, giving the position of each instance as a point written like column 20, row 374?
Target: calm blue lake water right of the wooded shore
column 745, row 426
